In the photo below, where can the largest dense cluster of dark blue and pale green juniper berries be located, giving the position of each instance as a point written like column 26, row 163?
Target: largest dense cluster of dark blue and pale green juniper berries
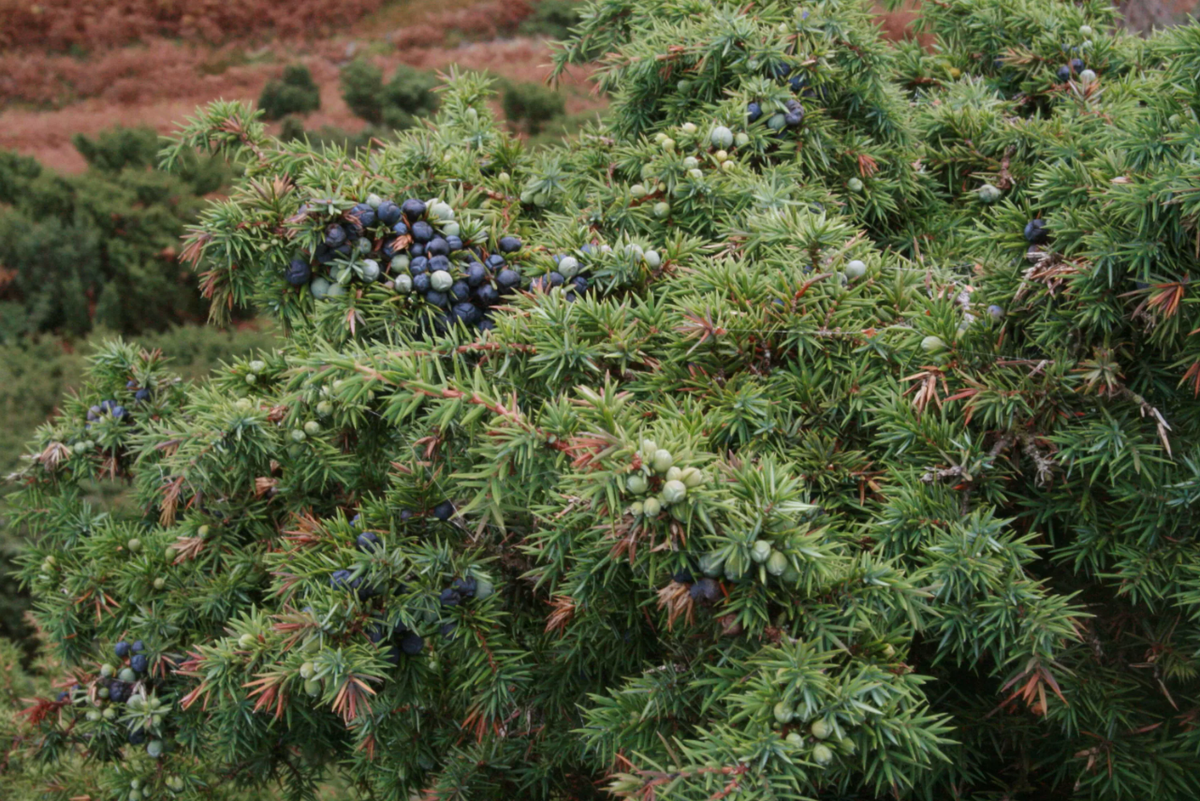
column 415, row 249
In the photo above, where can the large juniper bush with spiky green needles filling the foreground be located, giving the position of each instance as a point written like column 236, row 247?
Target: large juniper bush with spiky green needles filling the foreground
column 987, row 522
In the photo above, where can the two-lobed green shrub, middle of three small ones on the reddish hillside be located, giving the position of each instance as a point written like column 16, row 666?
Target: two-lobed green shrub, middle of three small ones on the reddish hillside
column 407, row 97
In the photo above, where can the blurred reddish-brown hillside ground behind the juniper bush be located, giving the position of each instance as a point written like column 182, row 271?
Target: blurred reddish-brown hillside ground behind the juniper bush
column 227, row 51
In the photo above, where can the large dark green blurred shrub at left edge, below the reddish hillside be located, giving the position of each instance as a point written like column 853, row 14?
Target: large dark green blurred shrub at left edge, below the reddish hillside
column 100, row 249
